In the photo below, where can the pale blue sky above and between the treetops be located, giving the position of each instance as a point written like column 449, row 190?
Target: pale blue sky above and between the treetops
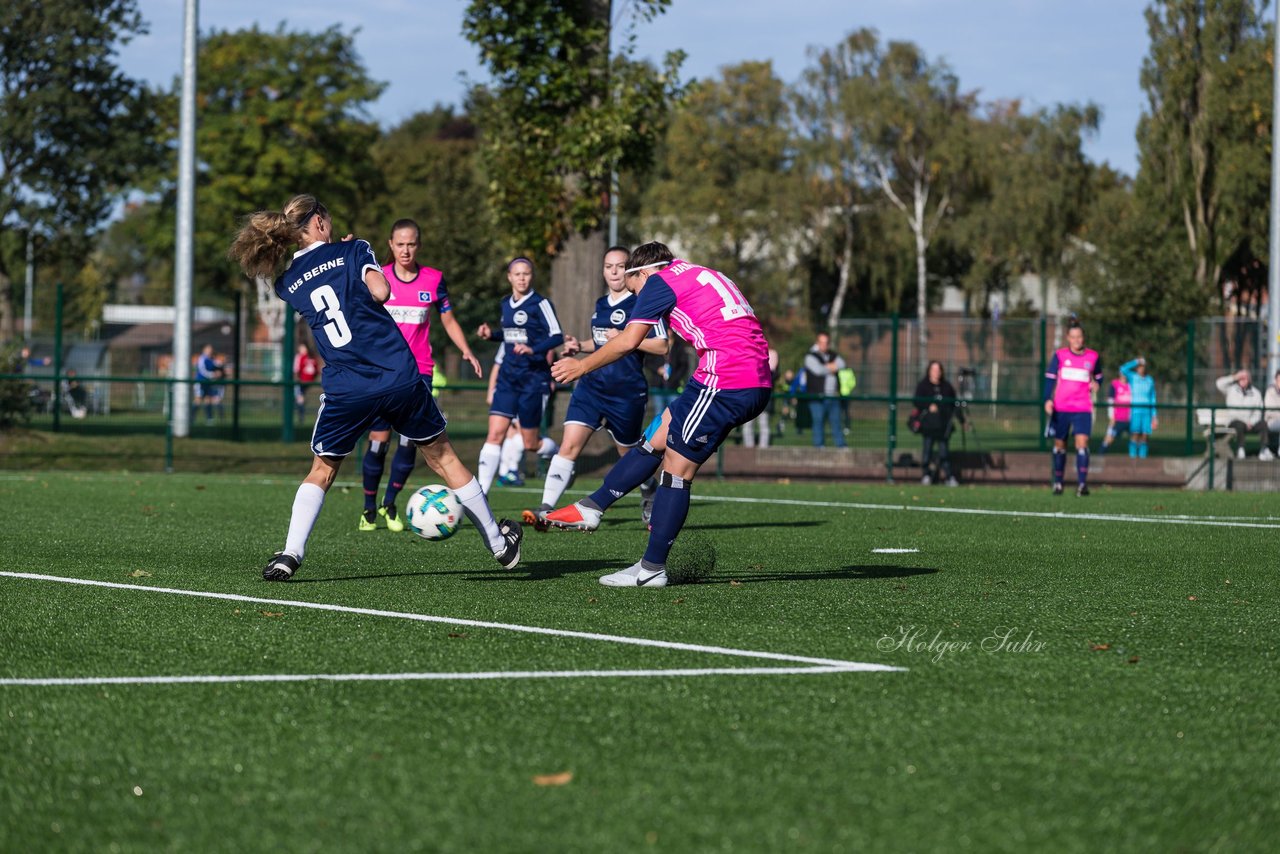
column 1041, row 52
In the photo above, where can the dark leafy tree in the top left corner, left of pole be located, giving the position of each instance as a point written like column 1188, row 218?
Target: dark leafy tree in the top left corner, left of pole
column 75, row 131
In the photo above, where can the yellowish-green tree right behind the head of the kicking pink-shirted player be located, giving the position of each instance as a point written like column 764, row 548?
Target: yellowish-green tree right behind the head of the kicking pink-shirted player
column 725, row 185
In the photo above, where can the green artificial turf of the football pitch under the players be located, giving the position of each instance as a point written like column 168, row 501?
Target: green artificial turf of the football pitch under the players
column 1131, row 706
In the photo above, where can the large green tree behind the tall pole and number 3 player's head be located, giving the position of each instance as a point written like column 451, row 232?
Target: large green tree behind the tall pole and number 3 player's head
column 280, row 113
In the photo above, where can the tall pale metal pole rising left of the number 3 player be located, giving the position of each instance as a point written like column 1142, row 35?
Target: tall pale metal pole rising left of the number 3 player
column 186, row 227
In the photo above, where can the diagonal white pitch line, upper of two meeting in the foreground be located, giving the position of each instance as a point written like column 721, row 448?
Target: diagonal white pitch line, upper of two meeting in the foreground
column 819, row 665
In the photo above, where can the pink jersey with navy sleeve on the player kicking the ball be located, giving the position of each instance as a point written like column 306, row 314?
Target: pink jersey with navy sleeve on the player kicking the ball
column 708, row 312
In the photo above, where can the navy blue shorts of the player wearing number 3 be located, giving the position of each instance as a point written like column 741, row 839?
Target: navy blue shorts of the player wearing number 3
column 341, row 422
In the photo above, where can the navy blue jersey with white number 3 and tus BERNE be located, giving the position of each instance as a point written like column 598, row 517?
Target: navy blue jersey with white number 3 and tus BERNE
column 364, row 351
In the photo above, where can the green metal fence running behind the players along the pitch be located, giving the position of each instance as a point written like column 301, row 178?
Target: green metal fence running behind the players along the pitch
column 996, row 368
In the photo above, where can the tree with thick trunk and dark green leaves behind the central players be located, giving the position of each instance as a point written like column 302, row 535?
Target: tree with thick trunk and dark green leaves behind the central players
column 559, row 118
